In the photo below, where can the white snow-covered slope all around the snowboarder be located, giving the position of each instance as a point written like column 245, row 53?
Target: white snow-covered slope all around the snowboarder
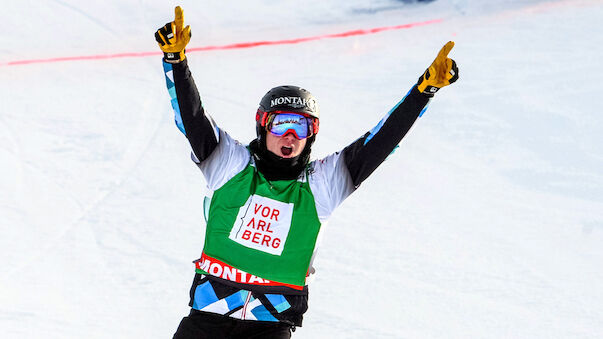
column 486, row 223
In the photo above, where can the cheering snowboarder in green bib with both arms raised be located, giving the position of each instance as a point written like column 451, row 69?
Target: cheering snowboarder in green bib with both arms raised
column 269, row 200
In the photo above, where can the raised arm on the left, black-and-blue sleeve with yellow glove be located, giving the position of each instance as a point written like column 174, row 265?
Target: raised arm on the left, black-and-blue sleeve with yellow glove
column 190, row 116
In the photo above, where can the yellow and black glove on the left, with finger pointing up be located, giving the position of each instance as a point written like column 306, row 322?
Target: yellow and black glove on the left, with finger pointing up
column 172, row 38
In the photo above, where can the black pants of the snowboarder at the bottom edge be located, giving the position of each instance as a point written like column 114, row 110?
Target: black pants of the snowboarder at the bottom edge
column 202, row 325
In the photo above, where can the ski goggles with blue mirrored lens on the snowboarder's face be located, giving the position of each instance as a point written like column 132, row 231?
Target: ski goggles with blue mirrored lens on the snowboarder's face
column 283, row 123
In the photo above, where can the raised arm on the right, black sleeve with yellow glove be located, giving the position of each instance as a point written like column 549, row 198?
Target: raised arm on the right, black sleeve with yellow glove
column 364, row 155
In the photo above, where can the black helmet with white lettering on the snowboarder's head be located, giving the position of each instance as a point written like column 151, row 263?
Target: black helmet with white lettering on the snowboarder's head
column 286, row 99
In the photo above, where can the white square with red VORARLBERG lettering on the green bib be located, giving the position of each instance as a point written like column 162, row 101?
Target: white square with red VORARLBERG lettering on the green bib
column 263, row 224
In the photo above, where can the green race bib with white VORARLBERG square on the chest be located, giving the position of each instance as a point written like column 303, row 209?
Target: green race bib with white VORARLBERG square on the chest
column 266, row 229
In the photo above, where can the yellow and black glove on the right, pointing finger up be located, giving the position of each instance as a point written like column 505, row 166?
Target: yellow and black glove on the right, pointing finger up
column 442, row 72
